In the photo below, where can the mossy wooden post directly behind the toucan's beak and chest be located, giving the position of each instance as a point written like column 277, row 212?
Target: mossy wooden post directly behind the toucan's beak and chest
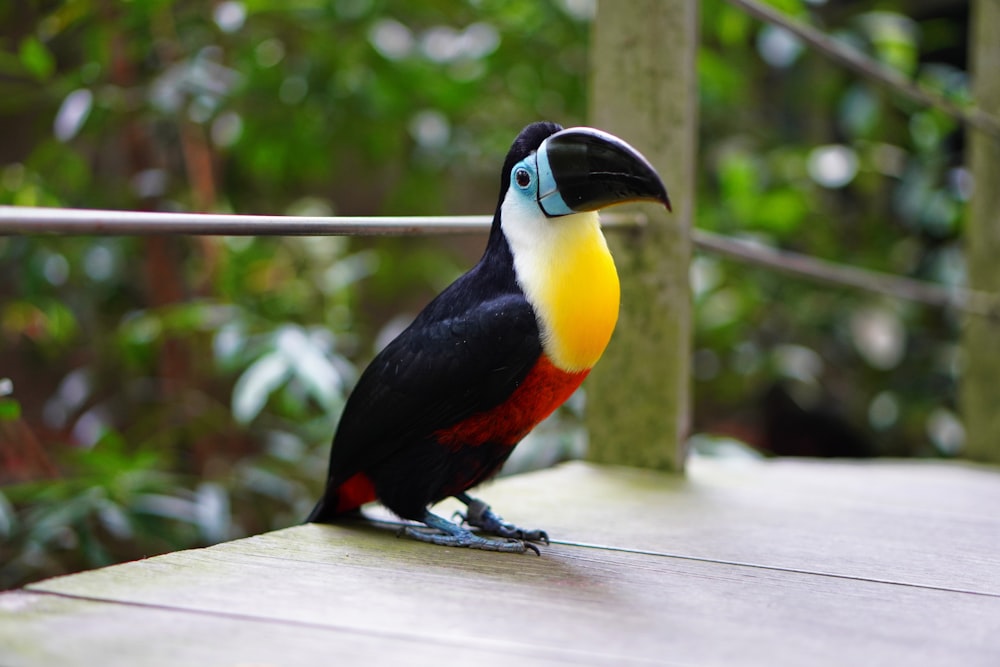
column 643, row 88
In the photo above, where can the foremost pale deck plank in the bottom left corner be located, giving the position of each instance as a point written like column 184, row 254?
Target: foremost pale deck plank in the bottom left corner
column 44, row 630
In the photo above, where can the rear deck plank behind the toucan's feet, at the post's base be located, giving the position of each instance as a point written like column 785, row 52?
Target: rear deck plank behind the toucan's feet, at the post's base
column 931, row 524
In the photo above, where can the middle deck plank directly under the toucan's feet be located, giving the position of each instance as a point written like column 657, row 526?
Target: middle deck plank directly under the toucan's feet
column 576, row 605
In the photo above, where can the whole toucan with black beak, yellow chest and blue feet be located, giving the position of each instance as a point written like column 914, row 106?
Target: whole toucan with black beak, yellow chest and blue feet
column 442, row 406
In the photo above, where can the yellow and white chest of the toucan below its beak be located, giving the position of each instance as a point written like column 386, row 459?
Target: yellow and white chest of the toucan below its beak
column 570, row 279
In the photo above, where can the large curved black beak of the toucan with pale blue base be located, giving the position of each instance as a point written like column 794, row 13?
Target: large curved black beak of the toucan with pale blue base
column 583, row 169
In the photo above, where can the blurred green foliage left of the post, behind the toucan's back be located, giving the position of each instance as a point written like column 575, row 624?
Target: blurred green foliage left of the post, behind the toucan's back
column 175, row 392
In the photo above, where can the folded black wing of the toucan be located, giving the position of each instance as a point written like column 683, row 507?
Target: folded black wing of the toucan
column 436, row 373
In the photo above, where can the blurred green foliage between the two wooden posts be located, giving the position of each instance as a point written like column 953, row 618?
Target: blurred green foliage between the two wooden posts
column 801, row 155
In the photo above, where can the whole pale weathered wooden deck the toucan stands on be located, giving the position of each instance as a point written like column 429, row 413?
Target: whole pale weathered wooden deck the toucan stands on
column 776, row 563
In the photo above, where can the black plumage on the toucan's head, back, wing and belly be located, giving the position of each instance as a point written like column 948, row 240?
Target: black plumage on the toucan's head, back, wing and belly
column 466, row 352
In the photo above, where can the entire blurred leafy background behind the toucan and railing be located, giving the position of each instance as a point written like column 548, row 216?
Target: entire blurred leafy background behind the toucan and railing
column 163, row 393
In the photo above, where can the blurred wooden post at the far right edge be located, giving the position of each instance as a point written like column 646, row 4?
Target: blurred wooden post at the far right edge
column 980, row 394
